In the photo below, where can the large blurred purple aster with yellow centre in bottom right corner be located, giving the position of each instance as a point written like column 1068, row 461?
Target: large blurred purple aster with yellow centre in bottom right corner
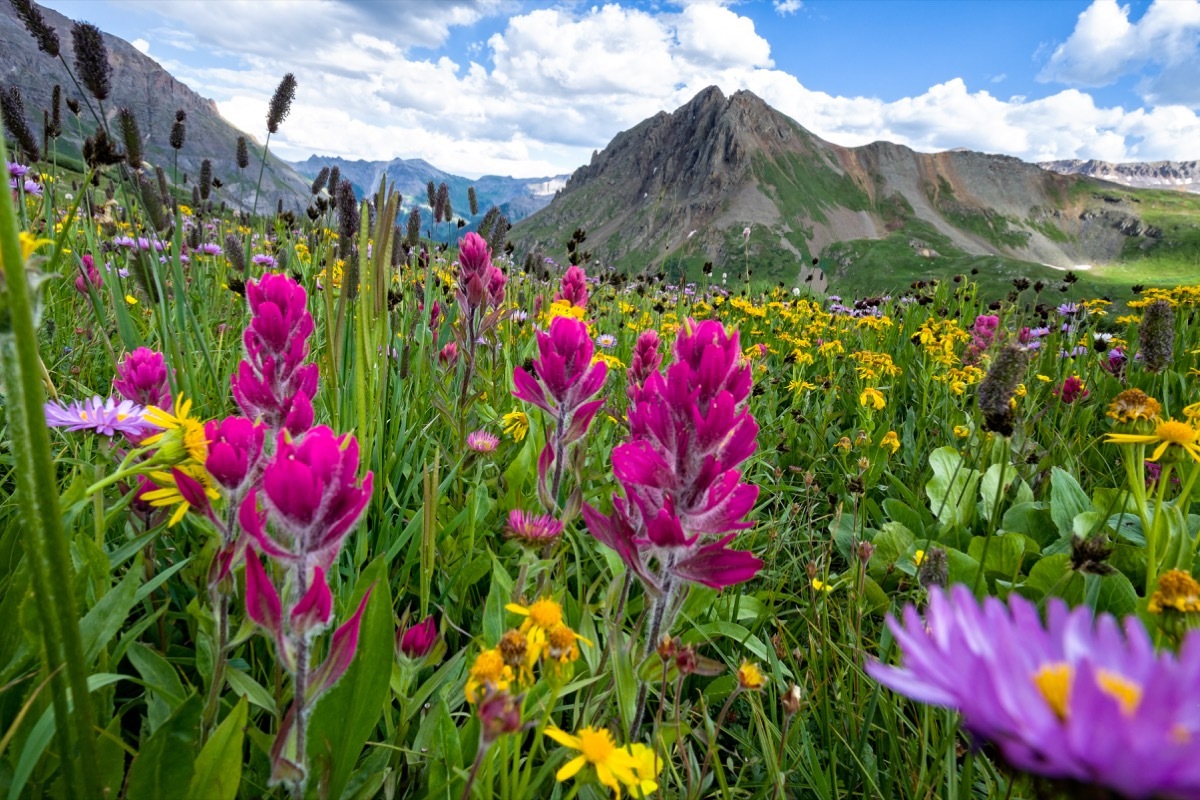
column 1079, row 700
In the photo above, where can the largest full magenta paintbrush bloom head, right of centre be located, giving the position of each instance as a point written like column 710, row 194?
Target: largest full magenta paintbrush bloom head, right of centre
column 685, row 500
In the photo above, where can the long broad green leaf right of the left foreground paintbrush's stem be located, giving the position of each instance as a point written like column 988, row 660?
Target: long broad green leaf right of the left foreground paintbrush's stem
column 349, row 713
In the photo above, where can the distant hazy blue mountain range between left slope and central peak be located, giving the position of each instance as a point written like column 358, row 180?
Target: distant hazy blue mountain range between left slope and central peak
column 515, row 197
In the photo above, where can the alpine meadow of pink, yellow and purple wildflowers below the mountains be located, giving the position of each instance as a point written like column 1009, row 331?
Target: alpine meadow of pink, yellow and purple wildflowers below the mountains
column 320, row 507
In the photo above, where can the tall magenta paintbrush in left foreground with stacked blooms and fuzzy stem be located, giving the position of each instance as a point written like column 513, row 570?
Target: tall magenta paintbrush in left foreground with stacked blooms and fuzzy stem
column 297, row 502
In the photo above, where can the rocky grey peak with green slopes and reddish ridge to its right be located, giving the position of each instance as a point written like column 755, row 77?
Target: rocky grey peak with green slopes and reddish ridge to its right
column 680, row 189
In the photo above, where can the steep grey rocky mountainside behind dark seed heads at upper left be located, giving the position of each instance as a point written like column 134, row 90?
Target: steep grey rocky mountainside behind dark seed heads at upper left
column 141, row 85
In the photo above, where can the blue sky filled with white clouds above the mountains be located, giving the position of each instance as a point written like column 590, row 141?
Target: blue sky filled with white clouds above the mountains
column 530, row 89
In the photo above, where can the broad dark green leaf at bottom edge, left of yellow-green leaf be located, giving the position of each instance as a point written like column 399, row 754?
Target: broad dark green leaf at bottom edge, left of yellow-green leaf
column 167, row 761
